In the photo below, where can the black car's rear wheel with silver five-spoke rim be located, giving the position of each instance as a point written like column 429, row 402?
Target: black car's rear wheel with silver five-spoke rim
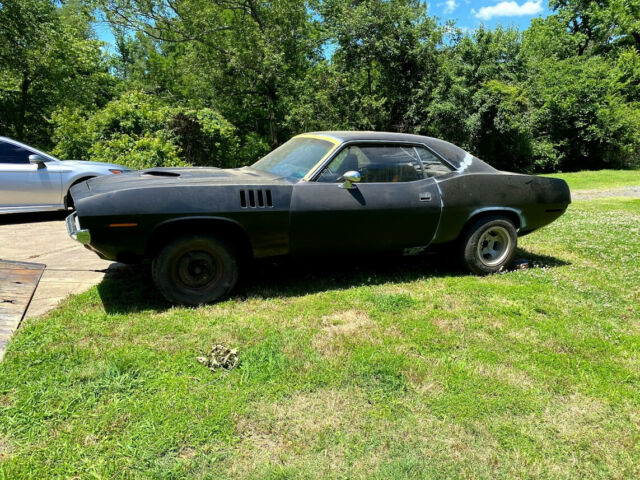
column 489, row 245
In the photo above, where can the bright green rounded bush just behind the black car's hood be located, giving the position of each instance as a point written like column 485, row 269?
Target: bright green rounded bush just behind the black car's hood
column 139, row 131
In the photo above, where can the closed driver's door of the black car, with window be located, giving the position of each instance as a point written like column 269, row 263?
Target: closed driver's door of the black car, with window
column 395, row 206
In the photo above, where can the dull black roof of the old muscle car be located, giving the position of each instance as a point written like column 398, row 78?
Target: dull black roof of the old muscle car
column 454, row 154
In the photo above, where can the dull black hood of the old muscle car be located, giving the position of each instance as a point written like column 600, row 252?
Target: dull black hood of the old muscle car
column 181, row 176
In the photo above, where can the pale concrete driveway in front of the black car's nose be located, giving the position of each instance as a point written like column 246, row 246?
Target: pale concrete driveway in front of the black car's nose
column 42, row 238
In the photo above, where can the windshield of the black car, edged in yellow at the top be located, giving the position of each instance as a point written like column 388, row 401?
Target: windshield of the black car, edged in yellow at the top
column 294, row 158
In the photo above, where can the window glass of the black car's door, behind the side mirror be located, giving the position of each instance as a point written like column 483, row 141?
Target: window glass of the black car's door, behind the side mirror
column 376, row 164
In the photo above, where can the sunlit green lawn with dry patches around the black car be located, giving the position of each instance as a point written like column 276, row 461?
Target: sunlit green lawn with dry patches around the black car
column 402, row 369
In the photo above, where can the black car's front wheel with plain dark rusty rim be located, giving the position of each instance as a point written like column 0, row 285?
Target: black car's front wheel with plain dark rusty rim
column 196, row 269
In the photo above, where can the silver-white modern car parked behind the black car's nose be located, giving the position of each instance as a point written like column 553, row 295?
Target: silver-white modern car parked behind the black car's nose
column 34, row 181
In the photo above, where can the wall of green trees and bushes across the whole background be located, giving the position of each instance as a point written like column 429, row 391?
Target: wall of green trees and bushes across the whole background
column 227, row 80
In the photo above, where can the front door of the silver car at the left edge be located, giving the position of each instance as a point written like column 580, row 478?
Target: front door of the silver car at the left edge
column 26, row 185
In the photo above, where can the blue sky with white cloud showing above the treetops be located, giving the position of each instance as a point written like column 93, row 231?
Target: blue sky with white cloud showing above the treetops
column 468, row 14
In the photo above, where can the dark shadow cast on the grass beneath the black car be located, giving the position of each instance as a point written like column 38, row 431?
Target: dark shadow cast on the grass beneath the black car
column 130, row 289
